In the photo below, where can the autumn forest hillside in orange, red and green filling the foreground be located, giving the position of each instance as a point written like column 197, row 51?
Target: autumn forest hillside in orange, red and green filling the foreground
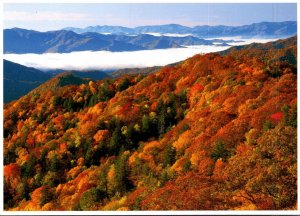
column 214, row 132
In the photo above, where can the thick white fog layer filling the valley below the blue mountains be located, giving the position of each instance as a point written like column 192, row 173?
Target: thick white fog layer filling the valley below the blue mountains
column 106, row 60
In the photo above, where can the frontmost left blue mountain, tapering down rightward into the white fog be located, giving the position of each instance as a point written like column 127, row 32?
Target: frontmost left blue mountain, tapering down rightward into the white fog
column 27, row 41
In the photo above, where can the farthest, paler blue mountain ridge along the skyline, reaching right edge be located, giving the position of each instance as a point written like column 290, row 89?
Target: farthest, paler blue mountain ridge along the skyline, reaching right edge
column 266, row 29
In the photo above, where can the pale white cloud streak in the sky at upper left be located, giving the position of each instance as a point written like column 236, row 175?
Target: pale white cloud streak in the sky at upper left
column 44, row 16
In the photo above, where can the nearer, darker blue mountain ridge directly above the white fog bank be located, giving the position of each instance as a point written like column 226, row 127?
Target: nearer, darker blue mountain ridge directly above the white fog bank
column 21, row 41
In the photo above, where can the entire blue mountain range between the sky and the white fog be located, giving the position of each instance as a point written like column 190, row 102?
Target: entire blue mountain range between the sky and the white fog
column 21, row 41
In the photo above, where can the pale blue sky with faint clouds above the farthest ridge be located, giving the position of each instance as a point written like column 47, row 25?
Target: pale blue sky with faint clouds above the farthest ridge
column 47, row 16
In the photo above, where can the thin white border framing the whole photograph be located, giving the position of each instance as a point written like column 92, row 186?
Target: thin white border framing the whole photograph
column 229, row 212
